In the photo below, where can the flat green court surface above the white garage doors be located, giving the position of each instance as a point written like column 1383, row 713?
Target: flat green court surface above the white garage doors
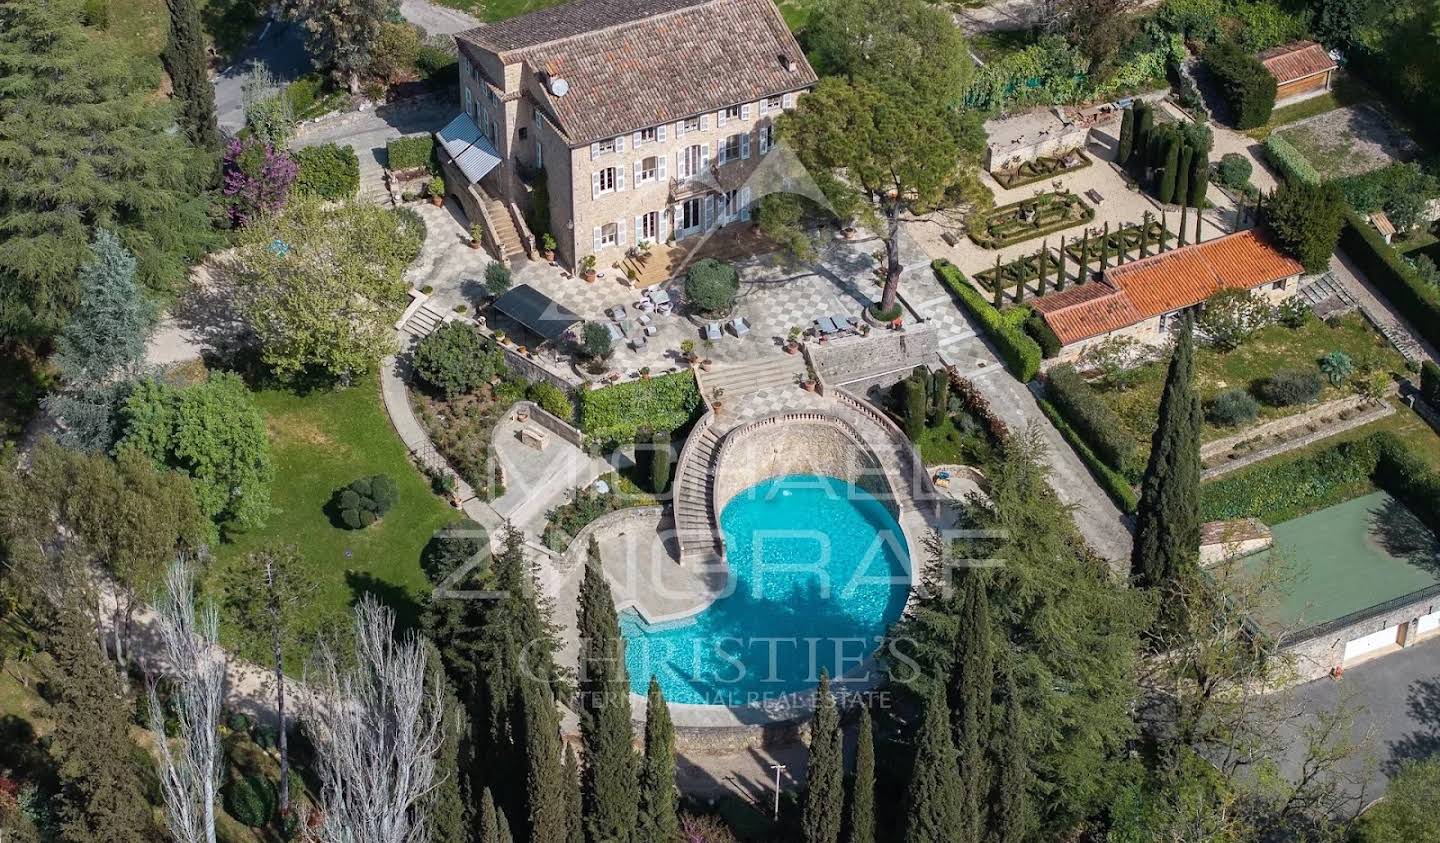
column 1351, row 557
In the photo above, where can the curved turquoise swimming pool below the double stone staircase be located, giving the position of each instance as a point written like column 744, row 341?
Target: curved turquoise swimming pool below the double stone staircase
column 820, row 570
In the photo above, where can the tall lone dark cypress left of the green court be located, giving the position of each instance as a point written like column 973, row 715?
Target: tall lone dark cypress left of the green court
column 1167, row 522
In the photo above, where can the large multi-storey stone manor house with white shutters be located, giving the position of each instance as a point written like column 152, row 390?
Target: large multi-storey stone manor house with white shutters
column 613, row 123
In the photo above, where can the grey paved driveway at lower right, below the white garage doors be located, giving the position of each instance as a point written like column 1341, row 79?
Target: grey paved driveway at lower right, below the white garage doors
column 1400, row 698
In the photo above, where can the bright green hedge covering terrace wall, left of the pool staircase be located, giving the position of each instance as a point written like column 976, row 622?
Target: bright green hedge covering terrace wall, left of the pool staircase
column 614, row 414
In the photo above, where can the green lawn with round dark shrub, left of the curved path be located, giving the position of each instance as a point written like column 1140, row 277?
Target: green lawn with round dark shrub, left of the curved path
column 320, row 443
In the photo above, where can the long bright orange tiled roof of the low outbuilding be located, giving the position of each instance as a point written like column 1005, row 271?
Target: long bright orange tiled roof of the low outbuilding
column 1164, row 283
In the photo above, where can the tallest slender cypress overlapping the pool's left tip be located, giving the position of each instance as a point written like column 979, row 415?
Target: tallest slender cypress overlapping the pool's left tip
column 611, row 776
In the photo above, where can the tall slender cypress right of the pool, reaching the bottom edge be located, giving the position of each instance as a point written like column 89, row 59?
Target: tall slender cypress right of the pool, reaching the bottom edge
column 970, row 698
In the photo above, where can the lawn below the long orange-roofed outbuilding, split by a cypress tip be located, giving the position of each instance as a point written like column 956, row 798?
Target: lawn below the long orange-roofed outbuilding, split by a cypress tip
column 1274, row 348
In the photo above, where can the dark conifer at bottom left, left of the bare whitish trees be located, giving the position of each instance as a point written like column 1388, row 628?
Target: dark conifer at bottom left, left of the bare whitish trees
column 102, row 798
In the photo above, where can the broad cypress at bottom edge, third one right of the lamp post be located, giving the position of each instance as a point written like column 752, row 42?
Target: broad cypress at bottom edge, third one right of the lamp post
column 934, row 798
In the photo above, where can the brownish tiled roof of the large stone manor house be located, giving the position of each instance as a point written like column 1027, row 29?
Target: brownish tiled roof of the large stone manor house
column 634, row 64
